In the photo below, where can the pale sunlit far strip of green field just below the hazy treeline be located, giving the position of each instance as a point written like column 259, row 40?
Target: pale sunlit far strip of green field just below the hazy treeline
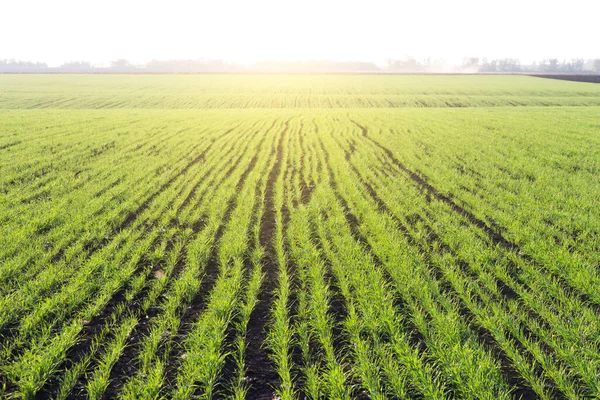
column 285, row 91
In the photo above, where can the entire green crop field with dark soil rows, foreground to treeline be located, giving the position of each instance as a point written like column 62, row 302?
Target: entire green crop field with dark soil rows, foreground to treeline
column 291, row 237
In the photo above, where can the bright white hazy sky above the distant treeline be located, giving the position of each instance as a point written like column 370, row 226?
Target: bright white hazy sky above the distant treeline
column 248, row 30
